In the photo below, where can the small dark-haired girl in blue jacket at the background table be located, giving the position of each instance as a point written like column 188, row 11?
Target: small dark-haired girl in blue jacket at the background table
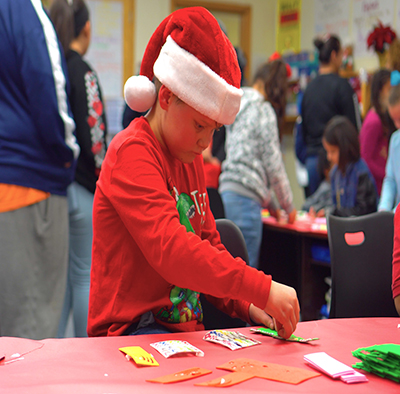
column 354, row 191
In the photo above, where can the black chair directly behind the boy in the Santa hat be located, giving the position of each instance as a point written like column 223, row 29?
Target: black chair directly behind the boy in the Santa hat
column 233, row 240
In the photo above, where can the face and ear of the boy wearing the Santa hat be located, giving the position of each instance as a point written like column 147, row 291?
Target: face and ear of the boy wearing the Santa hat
column 185, row 132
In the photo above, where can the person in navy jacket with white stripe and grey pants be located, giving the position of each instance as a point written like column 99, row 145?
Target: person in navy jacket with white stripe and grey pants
column 38, row 152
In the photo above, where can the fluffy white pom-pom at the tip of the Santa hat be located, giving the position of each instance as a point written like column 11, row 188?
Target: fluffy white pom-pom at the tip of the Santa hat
column 140, row 93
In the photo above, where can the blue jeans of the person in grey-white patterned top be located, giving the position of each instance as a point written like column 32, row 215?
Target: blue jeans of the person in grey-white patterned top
column 246, row 214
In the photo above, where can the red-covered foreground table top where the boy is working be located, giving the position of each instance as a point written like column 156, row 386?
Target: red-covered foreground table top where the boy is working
column 95, row 365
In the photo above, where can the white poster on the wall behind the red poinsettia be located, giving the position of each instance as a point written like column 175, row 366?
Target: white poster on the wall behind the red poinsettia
column 366, row 14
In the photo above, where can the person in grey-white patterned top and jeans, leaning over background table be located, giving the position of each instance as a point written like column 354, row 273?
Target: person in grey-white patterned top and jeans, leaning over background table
column 253, row 167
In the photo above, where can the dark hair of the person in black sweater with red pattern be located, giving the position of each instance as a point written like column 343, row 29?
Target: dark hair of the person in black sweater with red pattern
column 68, row 20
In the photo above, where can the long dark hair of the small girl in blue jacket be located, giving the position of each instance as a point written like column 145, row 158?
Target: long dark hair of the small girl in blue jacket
column 342, row 133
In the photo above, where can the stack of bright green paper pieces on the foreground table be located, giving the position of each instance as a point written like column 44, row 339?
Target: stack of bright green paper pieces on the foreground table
column 382, row 360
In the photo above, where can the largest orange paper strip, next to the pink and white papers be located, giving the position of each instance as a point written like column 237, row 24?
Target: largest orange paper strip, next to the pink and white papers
column 259, row 369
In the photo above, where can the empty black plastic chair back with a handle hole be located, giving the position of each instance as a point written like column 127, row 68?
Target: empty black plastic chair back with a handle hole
column 361, row 262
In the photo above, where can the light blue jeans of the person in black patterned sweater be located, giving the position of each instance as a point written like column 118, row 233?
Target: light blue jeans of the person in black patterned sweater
column 80, row 203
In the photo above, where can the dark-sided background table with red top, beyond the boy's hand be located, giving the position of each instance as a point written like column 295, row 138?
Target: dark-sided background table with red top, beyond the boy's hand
column 286, row 255
